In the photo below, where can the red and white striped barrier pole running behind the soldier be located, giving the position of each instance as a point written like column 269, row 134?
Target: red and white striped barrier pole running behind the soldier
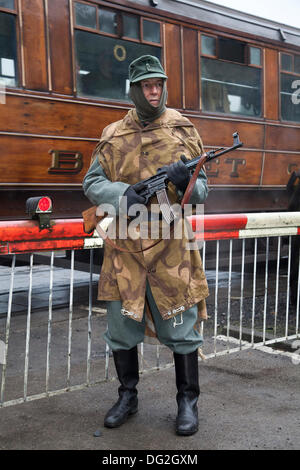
column 26, row 236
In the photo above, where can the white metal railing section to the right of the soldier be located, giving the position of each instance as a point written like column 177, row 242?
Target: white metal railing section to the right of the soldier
column 285, row 326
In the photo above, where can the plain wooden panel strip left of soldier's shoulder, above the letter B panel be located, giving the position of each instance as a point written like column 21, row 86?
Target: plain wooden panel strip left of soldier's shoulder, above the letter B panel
column 50, row 117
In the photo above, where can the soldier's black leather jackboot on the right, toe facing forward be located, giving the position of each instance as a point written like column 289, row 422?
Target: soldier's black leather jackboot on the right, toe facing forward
column 188, row 390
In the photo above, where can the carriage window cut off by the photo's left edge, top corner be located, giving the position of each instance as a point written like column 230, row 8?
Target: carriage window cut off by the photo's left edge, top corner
column 8, row 49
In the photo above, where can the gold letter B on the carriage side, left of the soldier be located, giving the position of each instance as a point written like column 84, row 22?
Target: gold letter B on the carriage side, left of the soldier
column 65, row 162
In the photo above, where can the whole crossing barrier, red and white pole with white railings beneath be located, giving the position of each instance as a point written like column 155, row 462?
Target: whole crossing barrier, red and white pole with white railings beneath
column 48, row 351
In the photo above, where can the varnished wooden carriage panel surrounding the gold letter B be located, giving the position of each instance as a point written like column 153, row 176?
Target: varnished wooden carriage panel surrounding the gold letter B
column 32, row 160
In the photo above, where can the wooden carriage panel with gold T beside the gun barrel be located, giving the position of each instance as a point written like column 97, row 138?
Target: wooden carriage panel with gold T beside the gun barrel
column 236, row 168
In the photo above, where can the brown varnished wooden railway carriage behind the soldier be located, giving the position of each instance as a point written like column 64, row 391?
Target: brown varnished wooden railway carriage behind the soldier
column 63, row 78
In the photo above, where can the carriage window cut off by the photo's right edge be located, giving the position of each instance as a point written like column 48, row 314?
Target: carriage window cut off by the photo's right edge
column 290, row 87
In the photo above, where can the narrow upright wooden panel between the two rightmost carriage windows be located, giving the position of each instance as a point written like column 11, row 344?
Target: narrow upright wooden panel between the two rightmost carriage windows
column 271, row 86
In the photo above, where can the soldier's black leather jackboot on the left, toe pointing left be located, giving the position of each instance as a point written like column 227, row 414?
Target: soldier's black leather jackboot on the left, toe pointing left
column 127, row 367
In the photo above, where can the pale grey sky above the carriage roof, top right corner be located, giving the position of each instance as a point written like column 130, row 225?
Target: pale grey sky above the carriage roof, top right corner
column 287, row 11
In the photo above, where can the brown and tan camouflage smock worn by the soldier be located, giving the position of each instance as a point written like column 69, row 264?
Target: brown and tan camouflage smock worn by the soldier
column 129, row 153
